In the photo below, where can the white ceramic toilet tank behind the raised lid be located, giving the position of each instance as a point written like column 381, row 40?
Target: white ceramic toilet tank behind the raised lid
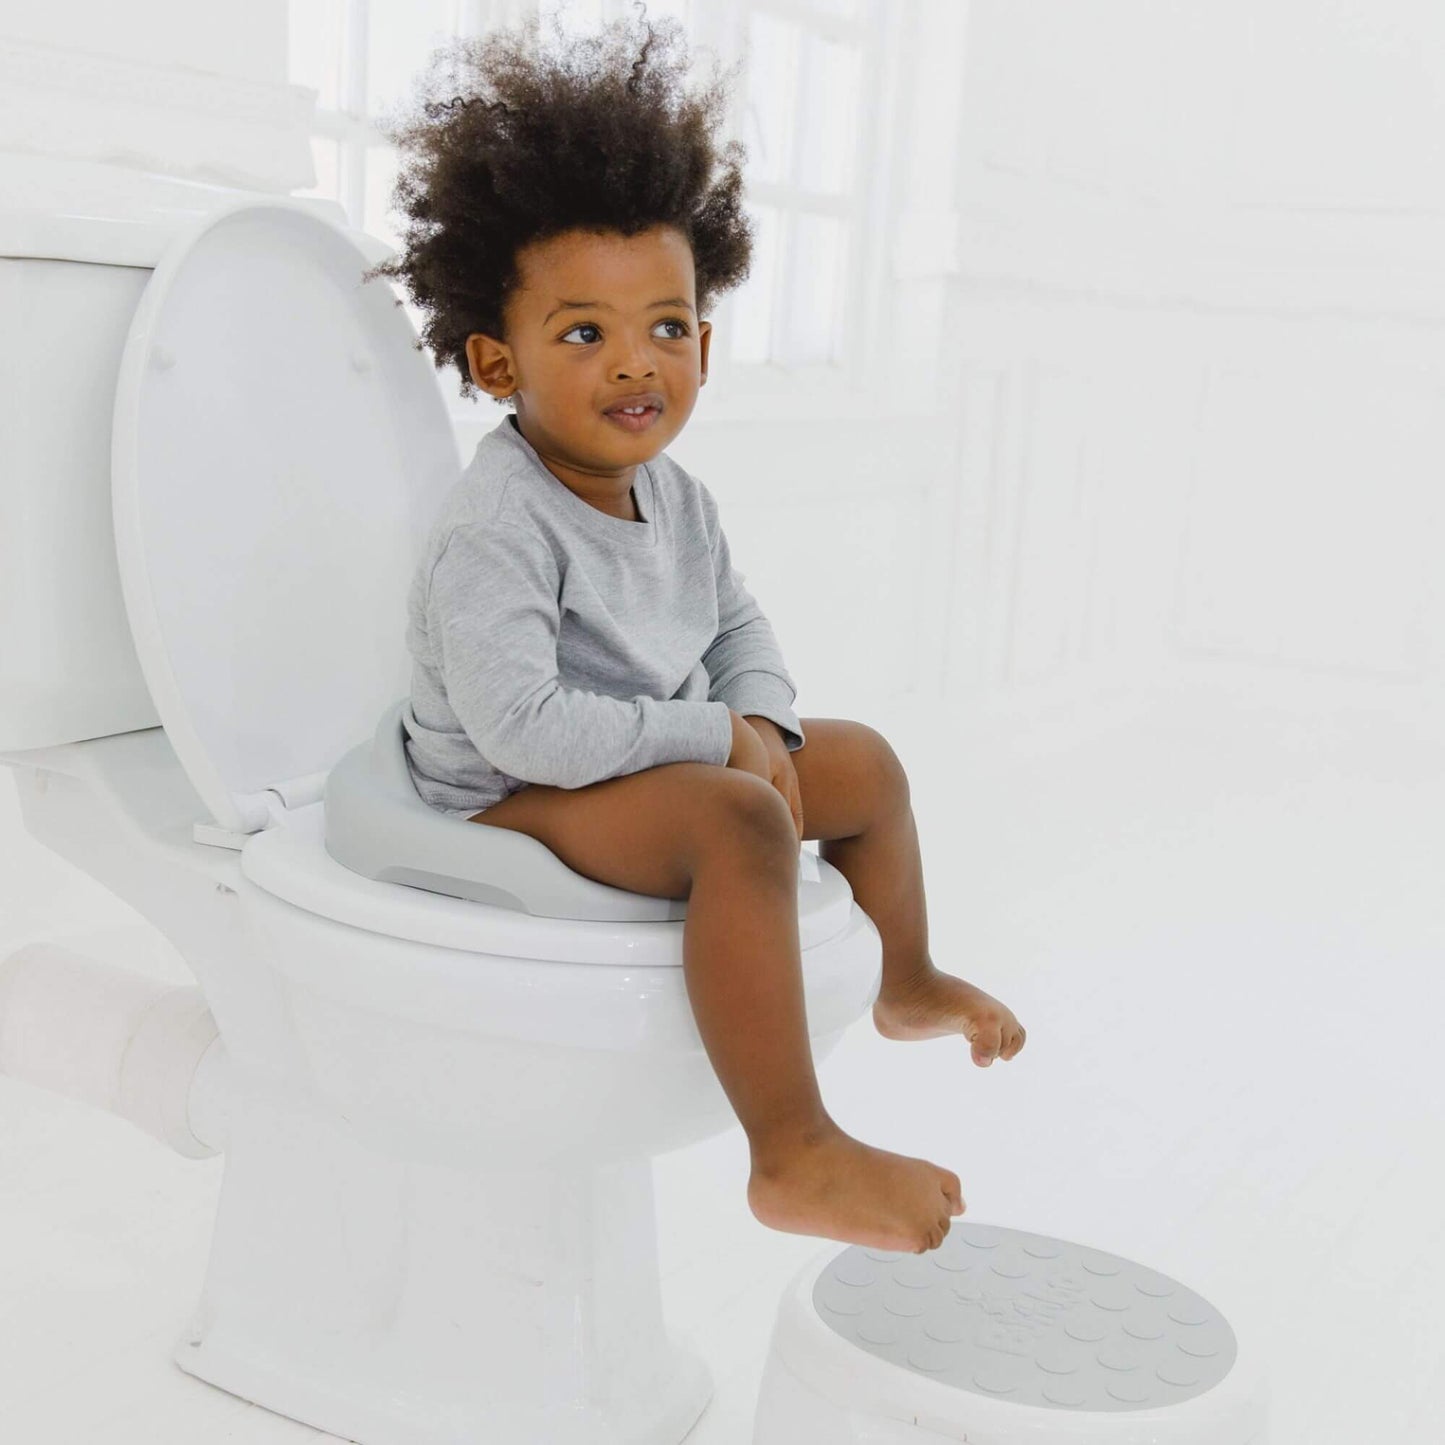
column 69, row 291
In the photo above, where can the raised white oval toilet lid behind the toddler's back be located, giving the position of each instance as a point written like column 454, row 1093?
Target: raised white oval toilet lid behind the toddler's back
column 280, row 453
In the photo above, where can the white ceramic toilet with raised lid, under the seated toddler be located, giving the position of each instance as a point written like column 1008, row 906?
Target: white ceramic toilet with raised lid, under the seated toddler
column 439, row 1113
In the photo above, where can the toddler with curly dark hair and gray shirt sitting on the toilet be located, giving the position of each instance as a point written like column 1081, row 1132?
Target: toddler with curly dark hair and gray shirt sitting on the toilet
column 589, row 667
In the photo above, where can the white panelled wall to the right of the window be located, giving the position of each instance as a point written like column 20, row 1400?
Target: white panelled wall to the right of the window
column 1199, row 320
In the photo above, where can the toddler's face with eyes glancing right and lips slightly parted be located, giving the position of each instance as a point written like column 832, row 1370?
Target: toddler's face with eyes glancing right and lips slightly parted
column 566, row 365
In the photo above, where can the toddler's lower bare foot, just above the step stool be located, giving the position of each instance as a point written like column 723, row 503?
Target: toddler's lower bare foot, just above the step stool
column 843, row 1190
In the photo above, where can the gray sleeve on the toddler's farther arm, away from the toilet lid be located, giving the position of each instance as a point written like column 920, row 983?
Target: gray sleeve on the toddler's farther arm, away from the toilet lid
column 745, row 663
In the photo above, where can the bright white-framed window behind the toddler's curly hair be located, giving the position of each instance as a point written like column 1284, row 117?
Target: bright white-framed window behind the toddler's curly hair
column 814, row 178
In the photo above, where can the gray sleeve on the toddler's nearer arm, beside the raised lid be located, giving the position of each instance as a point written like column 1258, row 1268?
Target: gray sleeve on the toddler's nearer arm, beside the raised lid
column 493, row 615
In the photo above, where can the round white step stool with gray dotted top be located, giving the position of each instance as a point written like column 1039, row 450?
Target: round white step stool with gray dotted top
column 1001, row 1337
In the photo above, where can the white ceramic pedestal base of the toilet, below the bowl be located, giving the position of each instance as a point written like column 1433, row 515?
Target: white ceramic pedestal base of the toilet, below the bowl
column 394, row 1303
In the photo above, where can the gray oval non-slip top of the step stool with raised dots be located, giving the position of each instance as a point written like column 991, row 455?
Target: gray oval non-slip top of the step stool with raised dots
column 1028, row 1319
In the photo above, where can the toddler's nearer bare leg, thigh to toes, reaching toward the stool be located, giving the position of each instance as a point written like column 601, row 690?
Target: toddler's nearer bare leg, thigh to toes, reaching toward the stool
column 726, row 842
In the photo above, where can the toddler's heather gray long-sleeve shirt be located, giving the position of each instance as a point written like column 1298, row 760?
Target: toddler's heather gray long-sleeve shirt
column 556, row 644
